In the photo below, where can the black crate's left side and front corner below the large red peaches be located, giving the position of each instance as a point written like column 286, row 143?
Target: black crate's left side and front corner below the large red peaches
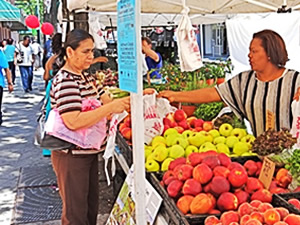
column 170, row 207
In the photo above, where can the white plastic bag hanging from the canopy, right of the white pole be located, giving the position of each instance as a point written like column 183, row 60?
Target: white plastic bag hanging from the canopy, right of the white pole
column 188, row 49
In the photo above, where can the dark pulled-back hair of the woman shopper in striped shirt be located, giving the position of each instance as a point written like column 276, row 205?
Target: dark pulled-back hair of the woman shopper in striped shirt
column 73, row 40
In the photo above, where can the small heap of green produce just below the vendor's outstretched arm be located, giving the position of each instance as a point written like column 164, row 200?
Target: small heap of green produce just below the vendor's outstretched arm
column 208, row 111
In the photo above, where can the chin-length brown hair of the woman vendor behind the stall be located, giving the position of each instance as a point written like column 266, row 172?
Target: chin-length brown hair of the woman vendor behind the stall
column 274, row 46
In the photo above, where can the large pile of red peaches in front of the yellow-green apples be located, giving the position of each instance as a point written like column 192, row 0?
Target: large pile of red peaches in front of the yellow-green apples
column 210, row 183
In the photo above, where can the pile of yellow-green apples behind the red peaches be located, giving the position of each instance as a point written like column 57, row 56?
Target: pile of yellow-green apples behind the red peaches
column 173, row 144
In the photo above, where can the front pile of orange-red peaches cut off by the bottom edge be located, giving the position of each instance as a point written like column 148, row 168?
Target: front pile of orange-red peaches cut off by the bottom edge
column 255, row 213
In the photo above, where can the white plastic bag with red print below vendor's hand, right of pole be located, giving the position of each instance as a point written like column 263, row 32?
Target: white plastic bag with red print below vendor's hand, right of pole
column 155, row 110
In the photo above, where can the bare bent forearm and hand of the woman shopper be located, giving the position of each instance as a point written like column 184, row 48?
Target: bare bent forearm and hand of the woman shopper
column 76, row 120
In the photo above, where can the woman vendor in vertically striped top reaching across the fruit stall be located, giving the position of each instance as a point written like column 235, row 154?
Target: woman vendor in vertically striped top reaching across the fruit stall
column 262, row 95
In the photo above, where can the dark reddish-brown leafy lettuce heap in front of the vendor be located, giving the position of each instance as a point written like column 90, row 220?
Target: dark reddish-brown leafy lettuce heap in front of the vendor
column 272, row 141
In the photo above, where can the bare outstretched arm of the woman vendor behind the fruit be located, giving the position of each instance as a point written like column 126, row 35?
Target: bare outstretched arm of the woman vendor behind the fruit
column 203, row 95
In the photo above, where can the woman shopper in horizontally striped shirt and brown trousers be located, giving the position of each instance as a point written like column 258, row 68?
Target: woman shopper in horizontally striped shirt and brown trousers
column 77, row 169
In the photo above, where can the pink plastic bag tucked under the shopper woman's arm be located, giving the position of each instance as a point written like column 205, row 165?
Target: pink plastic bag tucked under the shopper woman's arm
column 88, row 138
